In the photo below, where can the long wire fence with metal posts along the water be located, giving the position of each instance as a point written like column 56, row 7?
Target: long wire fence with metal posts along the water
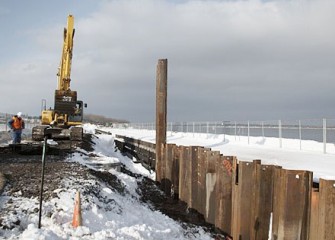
column 319, row 130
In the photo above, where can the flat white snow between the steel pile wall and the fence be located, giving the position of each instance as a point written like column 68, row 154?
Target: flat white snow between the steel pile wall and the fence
column 268, row 150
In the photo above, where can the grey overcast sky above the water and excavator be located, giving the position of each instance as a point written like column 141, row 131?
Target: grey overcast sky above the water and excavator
column 227, row 60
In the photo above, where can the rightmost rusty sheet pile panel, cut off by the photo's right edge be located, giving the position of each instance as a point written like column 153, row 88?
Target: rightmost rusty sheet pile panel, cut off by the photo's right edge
column 327, row 209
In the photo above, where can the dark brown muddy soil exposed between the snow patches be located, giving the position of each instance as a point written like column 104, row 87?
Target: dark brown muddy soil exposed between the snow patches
column 23, row 174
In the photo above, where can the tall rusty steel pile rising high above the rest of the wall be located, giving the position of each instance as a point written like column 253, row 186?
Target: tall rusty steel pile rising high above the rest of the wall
column 161, row 109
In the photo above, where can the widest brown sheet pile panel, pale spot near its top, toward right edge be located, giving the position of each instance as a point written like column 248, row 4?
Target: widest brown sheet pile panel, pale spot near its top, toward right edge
column 291, row 204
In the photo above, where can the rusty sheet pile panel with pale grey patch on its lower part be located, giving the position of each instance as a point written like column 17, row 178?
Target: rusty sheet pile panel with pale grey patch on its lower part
column 212, row 158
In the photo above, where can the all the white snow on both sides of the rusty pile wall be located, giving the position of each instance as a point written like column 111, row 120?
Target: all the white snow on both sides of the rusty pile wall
column 122, row 216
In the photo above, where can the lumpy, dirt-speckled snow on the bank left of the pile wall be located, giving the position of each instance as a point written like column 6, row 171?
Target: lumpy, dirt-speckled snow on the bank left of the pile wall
column 109, row 216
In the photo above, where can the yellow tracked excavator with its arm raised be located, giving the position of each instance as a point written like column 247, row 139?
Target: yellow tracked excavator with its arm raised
column 66, row 118
